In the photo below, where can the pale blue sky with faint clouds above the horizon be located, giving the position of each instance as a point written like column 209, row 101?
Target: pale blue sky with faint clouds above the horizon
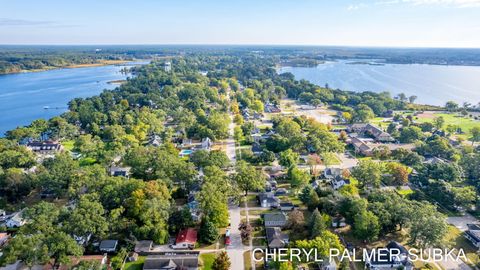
column 398, row 23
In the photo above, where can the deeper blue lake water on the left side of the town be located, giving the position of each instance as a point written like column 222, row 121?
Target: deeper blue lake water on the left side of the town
column 23, row 96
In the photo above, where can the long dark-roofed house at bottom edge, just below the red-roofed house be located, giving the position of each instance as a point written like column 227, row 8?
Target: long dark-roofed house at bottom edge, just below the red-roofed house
column 172, row 261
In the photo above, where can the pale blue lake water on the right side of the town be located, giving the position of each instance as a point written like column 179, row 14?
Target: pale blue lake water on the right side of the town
column 433, row 84
